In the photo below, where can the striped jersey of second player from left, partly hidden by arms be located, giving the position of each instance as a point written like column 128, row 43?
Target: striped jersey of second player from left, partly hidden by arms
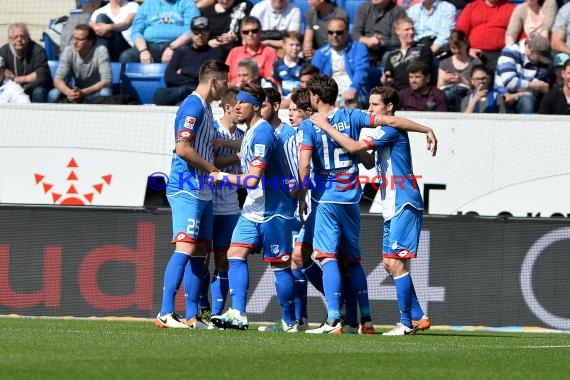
column 225, row 197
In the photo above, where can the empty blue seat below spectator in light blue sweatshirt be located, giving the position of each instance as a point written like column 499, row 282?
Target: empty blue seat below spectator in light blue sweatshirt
column 142, row 79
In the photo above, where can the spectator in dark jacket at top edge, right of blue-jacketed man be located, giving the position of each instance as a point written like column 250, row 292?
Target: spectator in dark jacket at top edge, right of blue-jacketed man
column 373, row 28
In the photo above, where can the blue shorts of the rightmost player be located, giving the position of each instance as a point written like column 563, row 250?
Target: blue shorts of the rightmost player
column 402, row 234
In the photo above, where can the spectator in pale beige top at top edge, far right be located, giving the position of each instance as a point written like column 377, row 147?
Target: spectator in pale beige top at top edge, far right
column 530, row 18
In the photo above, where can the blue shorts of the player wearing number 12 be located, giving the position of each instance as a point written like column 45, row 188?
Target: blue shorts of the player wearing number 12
column 337, row 226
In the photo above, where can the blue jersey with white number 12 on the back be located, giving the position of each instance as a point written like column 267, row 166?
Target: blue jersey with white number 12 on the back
column 335, row 170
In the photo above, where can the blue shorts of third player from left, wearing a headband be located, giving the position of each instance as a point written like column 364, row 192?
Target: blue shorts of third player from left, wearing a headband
column 274, row 236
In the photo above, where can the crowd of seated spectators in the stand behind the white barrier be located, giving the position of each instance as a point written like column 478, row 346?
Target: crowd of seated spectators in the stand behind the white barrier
column 490, row 56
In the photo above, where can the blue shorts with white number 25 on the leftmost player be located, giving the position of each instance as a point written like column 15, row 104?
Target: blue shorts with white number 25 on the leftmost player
column 191, row 219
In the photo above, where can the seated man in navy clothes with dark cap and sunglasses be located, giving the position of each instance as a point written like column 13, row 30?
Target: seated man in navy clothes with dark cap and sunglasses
column 183, row 70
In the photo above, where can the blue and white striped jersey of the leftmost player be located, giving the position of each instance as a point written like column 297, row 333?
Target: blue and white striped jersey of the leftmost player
column 193, row 122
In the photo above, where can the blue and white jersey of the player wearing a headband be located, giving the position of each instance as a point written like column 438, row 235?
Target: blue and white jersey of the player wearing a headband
column 262, row 148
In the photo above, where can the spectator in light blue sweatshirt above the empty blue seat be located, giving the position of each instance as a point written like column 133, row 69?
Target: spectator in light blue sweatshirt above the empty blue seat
column 159, row 28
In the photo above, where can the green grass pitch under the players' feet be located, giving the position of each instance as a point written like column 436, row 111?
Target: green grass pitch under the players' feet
column 32, row 348
